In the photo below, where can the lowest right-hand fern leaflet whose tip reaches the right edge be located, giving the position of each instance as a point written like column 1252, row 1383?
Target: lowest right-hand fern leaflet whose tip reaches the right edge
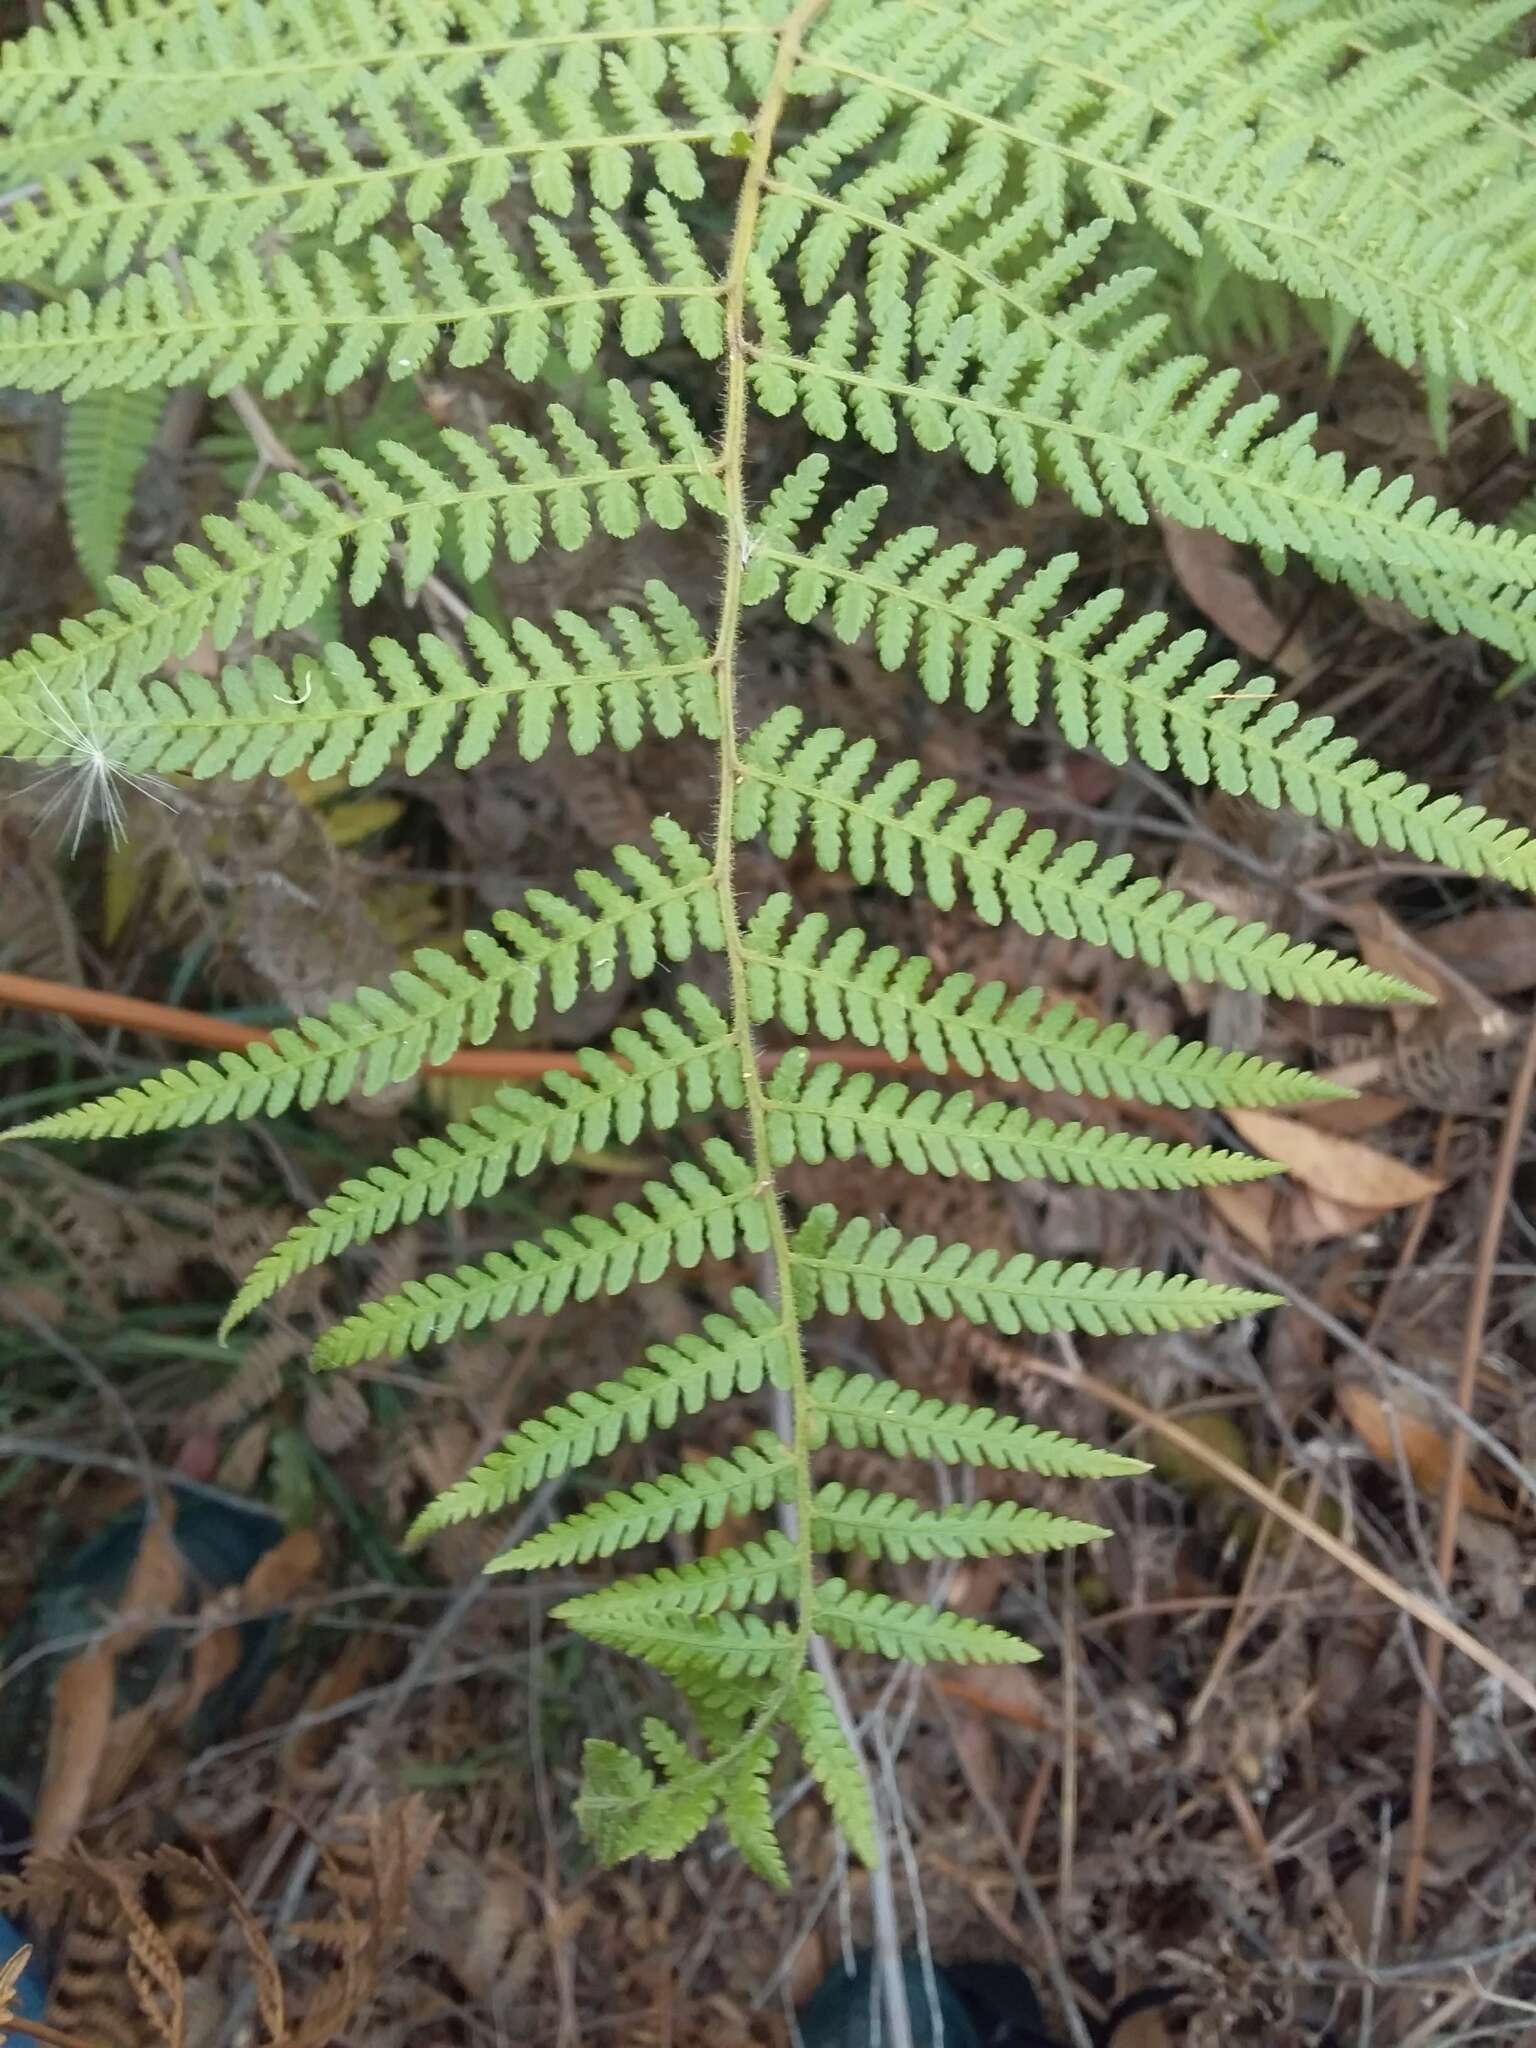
column 1129, row 691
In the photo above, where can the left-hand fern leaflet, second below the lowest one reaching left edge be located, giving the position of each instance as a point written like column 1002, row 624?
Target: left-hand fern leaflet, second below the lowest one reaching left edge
column 687, row 1218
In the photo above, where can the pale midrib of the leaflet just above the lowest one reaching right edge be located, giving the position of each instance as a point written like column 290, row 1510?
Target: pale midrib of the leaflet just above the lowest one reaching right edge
column 1486, row 581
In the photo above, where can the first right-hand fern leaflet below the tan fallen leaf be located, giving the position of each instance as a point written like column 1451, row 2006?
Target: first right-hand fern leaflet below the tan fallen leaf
column 857, row 1269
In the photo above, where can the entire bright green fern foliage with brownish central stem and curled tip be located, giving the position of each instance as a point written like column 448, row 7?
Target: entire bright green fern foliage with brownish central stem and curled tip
column 908, row 226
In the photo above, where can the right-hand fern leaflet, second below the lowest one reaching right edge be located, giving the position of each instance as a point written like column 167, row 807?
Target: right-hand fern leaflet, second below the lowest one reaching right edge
column 845, row 988
